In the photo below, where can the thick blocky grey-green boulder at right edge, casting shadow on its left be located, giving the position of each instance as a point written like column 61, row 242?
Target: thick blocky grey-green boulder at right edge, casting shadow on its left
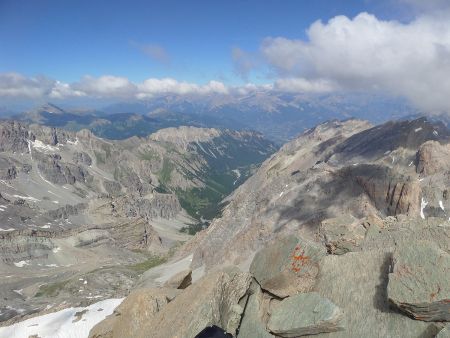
column 419, row 283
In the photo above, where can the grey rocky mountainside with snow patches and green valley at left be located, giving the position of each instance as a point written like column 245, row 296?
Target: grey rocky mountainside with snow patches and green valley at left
column 81, row 218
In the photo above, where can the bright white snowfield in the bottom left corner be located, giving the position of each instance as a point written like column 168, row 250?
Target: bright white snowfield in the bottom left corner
column 64, row 323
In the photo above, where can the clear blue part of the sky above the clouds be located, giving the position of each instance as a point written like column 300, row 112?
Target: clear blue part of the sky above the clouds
column 68, row 39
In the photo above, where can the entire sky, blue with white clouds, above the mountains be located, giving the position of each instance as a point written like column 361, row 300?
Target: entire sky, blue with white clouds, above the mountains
column 61, row 49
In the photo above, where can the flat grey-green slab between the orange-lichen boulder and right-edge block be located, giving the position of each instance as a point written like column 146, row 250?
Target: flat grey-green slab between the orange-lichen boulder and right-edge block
column 356, row 282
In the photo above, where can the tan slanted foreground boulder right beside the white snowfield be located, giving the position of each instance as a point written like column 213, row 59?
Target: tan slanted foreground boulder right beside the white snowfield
column 130, row 317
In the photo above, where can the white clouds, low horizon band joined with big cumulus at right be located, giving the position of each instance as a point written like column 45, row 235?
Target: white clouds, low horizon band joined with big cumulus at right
column 363, row 53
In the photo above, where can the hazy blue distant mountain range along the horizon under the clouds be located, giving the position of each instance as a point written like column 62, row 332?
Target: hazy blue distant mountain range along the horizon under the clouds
column 279, row 116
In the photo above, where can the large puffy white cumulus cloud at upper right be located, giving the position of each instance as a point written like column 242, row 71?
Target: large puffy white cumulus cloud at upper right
column 409, row 59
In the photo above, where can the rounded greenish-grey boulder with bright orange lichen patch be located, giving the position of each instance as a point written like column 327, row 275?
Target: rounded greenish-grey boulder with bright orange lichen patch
column 287, row 266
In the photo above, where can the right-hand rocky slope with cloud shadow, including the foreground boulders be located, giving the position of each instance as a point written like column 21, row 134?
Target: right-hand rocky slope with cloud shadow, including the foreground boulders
column 342, row 233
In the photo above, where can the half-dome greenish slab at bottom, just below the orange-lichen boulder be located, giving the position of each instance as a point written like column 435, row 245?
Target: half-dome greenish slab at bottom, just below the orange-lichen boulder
column 305, row 314
